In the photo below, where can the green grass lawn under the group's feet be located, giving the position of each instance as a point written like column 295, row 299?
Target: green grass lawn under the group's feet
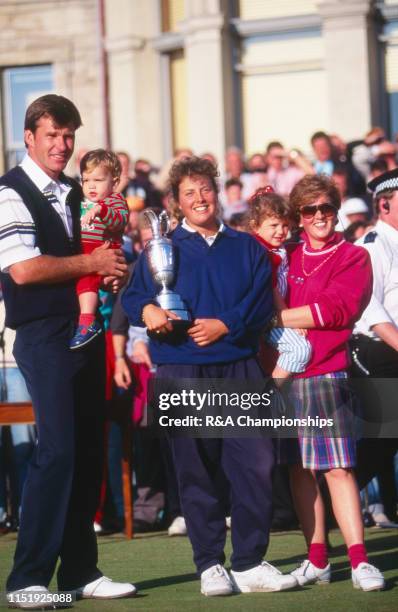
column 163, row 571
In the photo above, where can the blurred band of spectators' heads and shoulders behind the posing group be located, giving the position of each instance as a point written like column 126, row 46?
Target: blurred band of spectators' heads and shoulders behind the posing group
column 351, row 165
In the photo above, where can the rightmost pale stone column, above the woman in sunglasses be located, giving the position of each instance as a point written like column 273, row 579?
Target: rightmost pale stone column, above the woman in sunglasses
column 349, row 36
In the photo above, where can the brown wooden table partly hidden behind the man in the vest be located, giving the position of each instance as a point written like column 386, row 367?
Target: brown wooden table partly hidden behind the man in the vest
column 22, row 412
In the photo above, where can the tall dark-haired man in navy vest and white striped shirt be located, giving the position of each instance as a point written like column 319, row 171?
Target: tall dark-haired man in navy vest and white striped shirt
column 40, row 260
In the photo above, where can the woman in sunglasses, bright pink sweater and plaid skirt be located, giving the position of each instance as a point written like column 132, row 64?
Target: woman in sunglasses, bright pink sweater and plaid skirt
column 330, row 284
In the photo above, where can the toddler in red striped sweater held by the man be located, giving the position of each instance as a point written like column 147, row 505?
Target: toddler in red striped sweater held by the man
column 104, row 216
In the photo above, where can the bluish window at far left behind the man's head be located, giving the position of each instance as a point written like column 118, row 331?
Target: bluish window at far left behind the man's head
column 20, row 86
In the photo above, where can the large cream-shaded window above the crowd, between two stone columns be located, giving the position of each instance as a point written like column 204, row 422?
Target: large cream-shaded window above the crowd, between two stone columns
column 269, row 75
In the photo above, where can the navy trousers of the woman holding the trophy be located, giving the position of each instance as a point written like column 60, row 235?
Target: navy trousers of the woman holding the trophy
column 247, row 464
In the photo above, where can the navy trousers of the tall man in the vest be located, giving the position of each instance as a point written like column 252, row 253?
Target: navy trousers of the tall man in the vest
column 62, row 488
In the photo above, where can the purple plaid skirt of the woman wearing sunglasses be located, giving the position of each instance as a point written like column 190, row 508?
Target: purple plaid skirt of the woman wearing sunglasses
column 327, row 396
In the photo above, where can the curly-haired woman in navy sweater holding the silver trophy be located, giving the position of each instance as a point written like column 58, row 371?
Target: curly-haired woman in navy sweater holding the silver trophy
column 207, row 326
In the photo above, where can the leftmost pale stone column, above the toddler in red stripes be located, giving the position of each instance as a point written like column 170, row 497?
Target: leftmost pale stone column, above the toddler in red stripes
column 134, row 77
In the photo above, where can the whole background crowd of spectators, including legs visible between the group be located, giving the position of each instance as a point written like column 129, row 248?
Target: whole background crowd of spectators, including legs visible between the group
column 350, row 164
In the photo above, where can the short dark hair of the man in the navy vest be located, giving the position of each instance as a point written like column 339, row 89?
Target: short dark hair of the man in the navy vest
column 62, row 110
